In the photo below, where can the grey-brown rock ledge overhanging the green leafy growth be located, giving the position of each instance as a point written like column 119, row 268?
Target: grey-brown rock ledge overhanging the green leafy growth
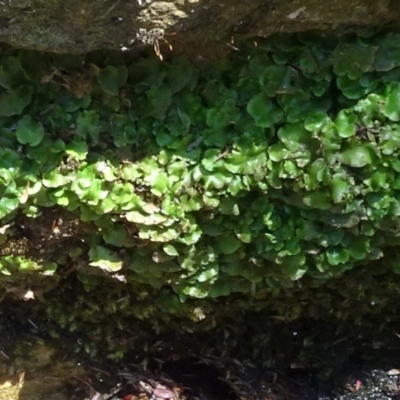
column 80, row 26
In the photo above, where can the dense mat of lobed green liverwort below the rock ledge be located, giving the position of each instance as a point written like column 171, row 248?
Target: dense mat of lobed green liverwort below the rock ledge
column 254, row 173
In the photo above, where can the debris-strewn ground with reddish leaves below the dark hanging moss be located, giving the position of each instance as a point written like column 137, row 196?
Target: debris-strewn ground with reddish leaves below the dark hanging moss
column 192, row 379
